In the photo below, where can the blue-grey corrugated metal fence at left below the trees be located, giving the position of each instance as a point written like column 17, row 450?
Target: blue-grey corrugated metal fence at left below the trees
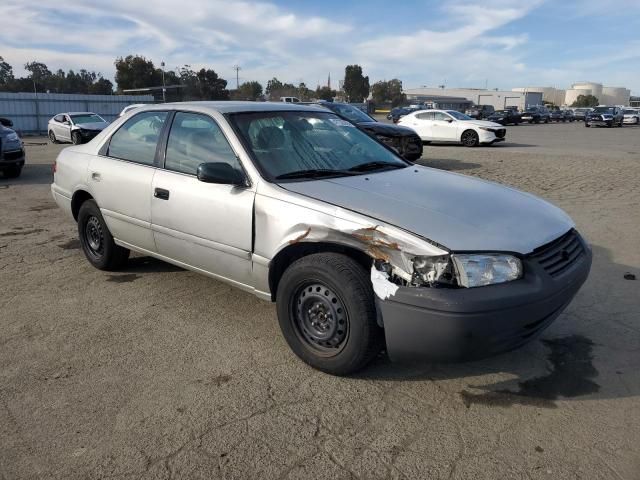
column 30, row 112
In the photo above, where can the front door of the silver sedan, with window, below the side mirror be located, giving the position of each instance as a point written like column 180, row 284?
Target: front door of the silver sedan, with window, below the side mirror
column 203, row 225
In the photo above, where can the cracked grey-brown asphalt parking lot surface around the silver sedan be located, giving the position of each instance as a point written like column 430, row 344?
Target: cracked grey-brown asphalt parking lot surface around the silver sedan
column 156, row 372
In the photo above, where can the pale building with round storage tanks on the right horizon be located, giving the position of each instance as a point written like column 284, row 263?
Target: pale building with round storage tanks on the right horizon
column 605, row 95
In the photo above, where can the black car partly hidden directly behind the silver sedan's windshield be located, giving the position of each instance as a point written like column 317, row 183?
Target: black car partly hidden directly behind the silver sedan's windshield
column 404, row 140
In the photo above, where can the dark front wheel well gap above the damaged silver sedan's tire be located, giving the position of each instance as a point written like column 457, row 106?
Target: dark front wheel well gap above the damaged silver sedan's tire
column 290, row 254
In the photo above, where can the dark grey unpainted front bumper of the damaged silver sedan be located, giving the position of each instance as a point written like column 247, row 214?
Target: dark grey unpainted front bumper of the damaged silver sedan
column 464, row 324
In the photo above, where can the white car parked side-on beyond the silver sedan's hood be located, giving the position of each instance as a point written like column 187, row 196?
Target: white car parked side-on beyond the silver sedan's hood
column 453, row 126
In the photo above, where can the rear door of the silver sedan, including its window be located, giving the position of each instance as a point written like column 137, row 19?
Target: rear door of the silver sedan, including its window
column 120, row 178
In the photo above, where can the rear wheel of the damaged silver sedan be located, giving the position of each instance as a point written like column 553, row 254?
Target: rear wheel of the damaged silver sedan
column 96, row 240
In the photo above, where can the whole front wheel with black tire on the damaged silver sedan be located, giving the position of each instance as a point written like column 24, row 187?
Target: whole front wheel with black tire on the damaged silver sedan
column 346, row 335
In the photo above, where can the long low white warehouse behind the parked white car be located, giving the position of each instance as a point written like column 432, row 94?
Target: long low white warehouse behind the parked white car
column 499, row 99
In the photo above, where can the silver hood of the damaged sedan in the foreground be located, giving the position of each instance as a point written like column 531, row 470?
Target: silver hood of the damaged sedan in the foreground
column 459, row 212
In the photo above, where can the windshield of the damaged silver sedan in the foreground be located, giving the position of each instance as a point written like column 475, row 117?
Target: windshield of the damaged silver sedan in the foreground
column 291, row 144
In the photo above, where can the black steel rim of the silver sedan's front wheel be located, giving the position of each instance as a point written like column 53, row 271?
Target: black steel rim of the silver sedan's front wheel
column 320, row 318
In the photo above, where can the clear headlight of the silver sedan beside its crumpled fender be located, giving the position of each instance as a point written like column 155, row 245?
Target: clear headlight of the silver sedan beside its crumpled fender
column 476, row 270
